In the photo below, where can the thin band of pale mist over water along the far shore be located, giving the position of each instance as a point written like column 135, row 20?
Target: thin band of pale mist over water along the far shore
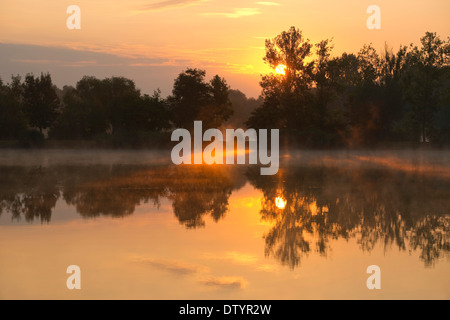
column 349, row 158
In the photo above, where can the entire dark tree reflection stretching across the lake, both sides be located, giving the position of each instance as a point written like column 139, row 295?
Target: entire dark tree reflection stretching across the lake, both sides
column 308, row 206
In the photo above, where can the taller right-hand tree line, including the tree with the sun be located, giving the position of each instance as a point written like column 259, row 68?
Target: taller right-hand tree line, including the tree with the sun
column 363, row 99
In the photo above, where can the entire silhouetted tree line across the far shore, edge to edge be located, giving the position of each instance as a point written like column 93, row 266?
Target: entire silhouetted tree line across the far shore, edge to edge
column 363, row 99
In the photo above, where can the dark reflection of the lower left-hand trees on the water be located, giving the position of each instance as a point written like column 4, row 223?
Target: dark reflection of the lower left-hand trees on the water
column 116, row 191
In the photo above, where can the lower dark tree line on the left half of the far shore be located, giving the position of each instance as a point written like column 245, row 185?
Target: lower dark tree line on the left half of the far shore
column 112, row 107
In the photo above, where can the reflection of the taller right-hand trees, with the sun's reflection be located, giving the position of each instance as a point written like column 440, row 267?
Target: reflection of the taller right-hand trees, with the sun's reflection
column 373, row 206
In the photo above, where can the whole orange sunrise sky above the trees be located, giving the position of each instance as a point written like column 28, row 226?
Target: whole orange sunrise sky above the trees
column 153, row 41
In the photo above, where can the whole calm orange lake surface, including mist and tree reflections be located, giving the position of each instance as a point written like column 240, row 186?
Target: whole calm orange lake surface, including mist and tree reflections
column 141, row 228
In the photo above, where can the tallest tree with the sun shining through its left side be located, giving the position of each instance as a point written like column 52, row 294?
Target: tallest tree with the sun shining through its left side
column 286, row 96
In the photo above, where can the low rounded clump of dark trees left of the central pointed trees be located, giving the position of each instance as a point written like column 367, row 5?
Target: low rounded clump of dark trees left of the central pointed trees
column 109, row 106
